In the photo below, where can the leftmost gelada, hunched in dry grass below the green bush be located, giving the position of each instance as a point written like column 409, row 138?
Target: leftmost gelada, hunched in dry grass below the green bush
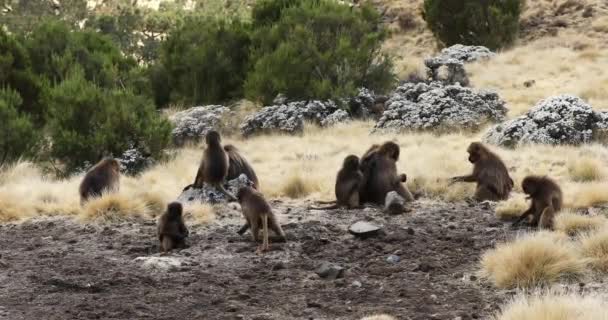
column 102, row 177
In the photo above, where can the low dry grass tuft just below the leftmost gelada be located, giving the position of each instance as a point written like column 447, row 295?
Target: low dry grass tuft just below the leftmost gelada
column 114, row 207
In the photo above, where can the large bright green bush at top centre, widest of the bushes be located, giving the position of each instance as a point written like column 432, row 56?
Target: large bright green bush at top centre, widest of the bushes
column 317, row 49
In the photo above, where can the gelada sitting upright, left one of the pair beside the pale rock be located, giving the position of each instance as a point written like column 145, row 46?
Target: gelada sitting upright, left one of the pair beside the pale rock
column 214, row 166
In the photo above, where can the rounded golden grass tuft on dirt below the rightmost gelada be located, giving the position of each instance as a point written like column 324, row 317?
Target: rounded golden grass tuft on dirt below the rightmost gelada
column 533, row 259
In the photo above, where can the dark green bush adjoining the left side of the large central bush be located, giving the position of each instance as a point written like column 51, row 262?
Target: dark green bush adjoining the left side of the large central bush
column 205, row 61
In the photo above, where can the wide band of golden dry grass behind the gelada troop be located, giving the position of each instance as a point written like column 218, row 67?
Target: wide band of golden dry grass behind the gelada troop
column 306, row 166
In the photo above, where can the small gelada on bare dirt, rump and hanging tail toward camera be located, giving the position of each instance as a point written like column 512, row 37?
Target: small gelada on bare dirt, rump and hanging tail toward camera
column 257, row 212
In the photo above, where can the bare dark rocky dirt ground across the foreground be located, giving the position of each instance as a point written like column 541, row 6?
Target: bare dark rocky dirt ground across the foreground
column 58, row 268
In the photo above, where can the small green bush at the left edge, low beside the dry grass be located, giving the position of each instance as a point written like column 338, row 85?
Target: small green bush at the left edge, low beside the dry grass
column 17, row 136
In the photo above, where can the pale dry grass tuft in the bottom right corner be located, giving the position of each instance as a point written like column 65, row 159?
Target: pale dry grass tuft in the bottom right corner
column 554, row 306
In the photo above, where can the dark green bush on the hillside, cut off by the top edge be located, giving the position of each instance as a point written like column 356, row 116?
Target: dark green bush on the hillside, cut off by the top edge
column 491, row 23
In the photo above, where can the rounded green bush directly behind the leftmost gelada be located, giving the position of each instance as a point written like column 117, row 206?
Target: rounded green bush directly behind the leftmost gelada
column 88, row 122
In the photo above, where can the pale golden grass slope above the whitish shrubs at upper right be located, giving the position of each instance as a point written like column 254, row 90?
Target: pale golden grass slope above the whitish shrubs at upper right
column 542, row 61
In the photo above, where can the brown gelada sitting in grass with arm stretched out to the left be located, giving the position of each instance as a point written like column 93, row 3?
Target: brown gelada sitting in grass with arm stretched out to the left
column 489, row 172
